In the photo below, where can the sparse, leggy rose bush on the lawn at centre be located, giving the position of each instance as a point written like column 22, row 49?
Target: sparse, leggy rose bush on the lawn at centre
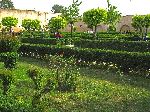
column 66, row 75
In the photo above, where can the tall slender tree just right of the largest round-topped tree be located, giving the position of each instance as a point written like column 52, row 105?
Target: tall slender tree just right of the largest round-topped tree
column 113, row 16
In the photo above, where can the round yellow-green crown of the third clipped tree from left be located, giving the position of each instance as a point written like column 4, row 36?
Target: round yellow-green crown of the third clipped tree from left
column 57, row 23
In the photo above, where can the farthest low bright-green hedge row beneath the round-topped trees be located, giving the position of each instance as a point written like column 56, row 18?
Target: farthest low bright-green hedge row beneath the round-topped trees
column 83, row 35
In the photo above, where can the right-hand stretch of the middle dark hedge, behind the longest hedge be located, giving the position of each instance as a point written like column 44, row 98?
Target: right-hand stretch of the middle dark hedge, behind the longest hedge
column 131, row 46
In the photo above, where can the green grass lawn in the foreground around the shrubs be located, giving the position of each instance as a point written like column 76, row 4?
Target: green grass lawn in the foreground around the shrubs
column 98, row 91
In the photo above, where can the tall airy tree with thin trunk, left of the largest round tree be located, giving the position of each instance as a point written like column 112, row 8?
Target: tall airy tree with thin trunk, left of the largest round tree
column 71, row 13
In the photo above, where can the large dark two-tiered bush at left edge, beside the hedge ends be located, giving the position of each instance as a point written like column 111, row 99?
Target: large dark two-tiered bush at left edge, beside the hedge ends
column 8, row 51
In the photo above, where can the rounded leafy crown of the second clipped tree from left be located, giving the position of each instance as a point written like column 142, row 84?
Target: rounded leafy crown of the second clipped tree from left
column 30, row 24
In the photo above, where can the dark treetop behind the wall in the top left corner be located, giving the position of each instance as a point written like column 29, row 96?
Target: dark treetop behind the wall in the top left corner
column 6, row 4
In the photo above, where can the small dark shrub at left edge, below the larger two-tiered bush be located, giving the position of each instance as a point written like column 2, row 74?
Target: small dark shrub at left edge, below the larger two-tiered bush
column 7, row 79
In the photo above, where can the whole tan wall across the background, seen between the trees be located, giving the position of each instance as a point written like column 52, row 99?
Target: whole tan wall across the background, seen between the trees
column 124, row 25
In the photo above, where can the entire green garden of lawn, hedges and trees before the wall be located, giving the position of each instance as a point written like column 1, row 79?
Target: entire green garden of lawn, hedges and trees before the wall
column 99, row 72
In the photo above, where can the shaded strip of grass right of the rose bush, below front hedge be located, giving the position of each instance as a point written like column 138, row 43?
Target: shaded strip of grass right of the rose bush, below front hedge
column 115, row 77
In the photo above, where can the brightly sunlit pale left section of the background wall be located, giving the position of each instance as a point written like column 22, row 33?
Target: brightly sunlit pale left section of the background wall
column 27, row 14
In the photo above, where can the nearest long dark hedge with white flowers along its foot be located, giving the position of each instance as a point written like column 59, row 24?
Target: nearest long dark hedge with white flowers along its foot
column 125, row 61
